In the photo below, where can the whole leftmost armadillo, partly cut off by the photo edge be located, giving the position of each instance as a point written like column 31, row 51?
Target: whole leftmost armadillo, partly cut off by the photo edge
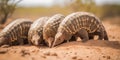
column 15, row 33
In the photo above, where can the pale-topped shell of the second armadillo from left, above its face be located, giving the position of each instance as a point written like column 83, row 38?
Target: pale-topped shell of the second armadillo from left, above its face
column 37, row 27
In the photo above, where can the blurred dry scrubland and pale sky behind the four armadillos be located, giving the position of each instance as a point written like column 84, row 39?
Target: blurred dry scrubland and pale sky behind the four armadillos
column 34, row 9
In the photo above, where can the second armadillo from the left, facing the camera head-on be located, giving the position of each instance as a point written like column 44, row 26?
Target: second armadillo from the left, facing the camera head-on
column 35, row 34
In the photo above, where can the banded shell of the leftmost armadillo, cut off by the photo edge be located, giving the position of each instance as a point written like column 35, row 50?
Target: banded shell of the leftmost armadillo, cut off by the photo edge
column 17, row 29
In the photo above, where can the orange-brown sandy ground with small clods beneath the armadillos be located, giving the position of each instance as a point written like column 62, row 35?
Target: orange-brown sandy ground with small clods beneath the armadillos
column 90, row 50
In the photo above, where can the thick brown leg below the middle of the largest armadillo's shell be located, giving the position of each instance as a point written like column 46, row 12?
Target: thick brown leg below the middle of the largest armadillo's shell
column 83, row 34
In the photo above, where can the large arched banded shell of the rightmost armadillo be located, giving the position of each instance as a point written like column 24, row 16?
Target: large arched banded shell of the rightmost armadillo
column 75, row 21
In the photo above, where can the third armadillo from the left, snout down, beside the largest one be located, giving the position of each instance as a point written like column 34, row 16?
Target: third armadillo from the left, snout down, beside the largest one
column 50, row 28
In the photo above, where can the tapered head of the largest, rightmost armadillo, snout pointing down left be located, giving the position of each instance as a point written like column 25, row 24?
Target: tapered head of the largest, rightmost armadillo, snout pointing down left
column 59, row 38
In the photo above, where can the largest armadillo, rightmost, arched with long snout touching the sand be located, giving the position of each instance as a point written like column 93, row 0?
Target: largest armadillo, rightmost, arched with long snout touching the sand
column 80, row 24
